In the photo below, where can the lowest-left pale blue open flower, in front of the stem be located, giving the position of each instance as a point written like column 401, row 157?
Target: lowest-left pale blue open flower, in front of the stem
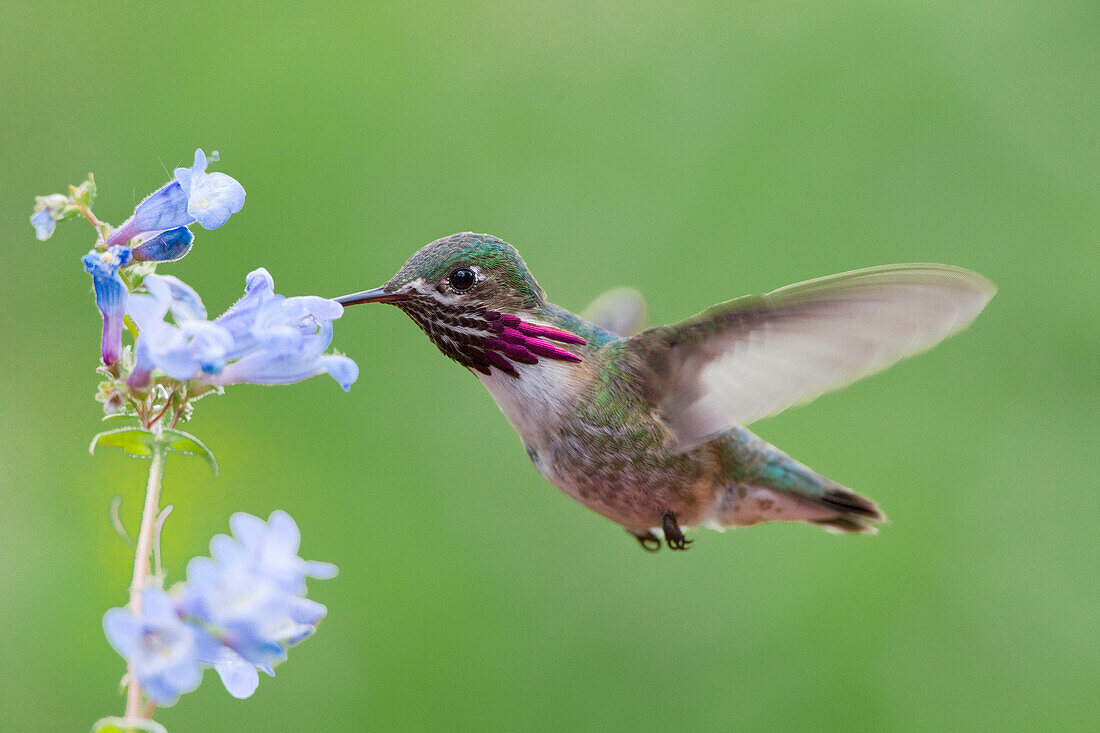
column 164, row 652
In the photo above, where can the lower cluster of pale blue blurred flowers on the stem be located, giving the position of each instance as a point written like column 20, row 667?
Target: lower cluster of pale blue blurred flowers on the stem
column 238, row 612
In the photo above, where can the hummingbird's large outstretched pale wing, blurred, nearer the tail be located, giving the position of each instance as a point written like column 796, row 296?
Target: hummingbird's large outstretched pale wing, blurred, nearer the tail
column 756, row 356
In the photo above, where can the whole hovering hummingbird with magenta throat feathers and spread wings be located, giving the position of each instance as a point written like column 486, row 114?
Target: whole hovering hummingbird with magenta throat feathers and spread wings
column 647, row 428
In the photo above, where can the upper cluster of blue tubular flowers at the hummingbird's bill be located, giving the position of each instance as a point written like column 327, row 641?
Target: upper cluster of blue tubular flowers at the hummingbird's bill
column 263, row 340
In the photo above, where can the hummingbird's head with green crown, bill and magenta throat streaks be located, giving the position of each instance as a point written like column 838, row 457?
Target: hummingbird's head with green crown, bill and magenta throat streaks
column 475, row 298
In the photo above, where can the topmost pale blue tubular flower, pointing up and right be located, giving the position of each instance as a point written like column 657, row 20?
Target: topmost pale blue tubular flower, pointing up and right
column 193, row 195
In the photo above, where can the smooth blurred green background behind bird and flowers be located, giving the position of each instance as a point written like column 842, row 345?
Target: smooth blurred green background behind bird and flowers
column 697, row 154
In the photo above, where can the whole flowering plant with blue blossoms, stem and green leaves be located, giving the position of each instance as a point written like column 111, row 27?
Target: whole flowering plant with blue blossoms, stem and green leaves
column 239, row 610
